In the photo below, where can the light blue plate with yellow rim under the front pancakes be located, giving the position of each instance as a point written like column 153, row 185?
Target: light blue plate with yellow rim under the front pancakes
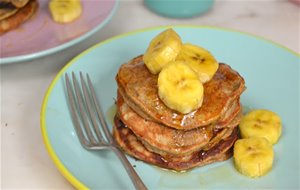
column 271, row 73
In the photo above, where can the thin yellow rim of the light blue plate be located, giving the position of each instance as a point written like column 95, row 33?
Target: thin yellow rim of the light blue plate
column 61, row 167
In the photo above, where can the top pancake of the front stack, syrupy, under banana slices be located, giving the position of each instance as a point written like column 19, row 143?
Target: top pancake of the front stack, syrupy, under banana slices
column 139, row 89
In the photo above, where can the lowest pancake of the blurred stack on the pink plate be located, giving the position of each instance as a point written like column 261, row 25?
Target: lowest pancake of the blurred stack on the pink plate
column 22, row 15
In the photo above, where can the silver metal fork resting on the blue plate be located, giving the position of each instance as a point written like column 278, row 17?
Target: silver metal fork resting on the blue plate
column 87, row 117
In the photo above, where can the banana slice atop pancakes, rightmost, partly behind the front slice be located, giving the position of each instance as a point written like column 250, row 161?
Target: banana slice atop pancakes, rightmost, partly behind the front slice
column 200, row 60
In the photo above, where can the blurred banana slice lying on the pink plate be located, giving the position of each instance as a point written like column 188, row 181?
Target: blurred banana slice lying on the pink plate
column 65, row 11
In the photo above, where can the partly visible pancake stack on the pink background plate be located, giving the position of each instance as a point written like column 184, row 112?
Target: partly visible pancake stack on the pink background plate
column 15, row 12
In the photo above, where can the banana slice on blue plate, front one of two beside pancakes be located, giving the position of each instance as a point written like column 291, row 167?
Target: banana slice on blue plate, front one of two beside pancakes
column 253, row 157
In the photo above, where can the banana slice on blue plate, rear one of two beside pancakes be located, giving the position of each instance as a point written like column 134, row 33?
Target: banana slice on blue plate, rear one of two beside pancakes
column 261, row 123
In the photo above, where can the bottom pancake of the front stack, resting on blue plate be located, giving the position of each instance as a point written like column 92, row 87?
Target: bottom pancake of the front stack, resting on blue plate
column 132, row 146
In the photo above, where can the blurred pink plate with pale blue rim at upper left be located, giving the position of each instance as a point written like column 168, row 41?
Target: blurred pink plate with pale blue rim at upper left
column 41, row 36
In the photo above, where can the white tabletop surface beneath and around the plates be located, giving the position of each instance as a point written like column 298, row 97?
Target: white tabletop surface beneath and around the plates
column 25, row 163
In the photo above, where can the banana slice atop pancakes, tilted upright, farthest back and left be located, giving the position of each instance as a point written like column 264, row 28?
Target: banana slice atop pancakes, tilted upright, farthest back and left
column 162, row 49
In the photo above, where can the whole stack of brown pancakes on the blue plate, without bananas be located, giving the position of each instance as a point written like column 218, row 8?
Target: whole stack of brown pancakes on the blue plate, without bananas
column 148, row 130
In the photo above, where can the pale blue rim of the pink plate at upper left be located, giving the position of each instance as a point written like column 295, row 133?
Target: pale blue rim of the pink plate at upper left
column 39, row 54
